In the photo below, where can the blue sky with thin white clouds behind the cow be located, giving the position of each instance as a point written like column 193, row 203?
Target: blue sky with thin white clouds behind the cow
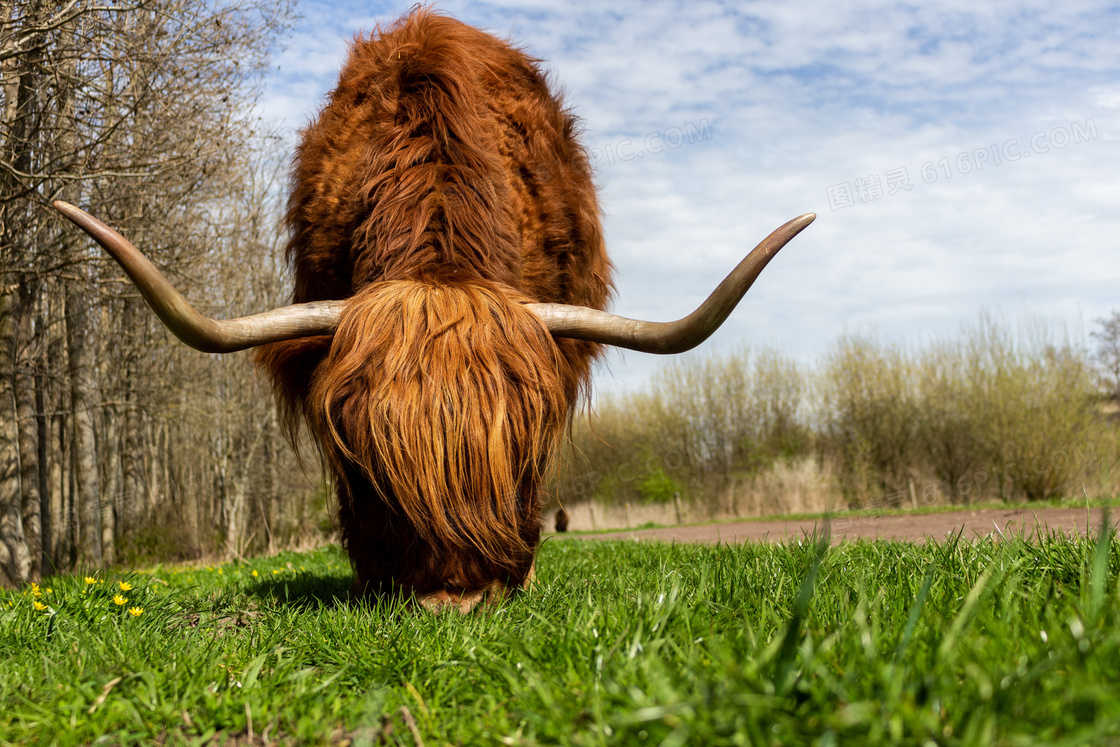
column 962, row 157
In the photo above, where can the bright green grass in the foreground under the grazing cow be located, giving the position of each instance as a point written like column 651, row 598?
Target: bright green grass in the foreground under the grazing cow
column 960, row 643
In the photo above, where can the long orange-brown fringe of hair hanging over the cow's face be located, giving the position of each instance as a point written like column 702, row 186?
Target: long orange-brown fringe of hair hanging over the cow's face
column 450, row 400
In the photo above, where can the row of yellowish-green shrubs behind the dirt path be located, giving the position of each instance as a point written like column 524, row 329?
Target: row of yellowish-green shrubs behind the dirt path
column 993, row 414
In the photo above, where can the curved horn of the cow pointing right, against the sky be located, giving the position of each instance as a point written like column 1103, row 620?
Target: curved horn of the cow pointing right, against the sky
column 668, row 338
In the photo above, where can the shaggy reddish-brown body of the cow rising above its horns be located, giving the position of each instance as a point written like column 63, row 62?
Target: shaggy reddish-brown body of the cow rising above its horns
column 443, row 154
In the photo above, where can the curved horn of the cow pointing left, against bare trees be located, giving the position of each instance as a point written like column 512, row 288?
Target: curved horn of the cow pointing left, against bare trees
column 189, row 325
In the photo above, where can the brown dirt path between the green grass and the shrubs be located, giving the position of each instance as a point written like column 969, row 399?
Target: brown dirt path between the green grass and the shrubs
column 917, row 528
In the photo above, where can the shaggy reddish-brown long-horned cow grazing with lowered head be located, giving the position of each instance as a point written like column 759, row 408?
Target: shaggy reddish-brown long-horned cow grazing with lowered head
column 450, row 279
